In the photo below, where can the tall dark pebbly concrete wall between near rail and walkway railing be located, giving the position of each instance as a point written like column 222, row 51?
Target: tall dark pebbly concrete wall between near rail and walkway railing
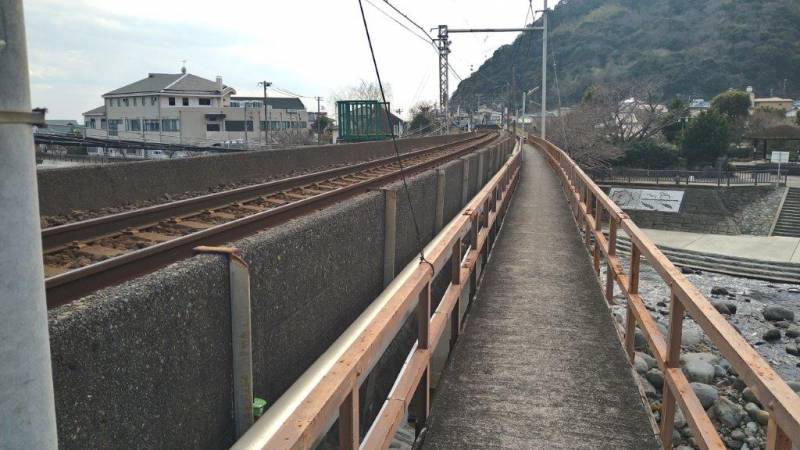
column 148, row 363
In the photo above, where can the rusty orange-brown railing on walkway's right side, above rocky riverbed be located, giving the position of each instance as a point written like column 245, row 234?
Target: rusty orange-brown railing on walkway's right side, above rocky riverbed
column 590, row 206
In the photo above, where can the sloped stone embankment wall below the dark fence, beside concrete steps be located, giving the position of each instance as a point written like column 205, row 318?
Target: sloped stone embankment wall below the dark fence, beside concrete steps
column 716, row 210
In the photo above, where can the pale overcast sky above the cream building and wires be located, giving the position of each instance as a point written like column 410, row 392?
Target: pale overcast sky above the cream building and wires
column 80, row 49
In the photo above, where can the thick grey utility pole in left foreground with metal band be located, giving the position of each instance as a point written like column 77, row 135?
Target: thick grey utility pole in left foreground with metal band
column 27, row 412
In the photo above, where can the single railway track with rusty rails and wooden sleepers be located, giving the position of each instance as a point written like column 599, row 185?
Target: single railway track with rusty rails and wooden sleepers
column 85, row 256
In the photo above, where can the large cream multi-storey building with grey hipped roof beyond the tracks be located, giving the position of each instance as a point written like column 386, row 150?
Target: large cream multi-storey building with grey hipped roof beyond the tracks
column 183, row 108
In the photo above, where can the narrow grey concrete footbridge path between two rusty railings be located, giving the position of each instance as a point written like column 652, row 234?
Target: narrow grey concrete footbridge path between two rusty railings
column 539, row 365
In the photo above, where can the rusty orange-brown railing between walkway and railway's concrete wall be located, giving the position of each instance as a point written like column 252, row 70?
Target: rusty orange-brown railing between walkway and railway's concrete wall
column 330, row 387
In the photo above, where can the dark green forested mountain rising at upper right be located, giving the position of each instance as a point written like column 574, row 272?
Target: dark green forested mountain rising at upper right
column 690, row 48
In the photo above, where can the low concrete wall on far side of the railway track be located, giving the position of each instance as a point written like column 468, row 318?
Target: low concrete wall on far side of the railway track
column 99, row 186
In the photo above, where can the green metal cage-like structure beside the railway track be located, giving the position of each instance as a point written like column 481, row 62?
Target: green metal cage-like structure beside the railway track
column 363, row 120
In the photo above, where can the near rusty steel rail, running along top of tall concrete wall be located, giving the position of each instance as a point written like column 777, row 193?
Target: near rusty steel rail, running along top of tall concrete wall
column 67, row 286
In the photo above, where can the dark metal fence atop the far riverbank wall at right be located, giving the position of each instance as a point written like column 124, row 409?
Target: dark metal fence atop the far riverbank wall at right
column 686, row 177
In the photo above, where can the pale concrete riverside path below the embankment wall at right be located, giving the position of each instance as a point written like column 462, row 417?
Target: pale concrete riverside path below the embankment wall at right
column 764, row 248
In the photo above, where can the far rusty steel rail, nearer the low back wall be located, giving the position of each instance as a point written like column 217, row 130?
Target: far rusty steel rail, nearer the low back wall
column 60, row 235
